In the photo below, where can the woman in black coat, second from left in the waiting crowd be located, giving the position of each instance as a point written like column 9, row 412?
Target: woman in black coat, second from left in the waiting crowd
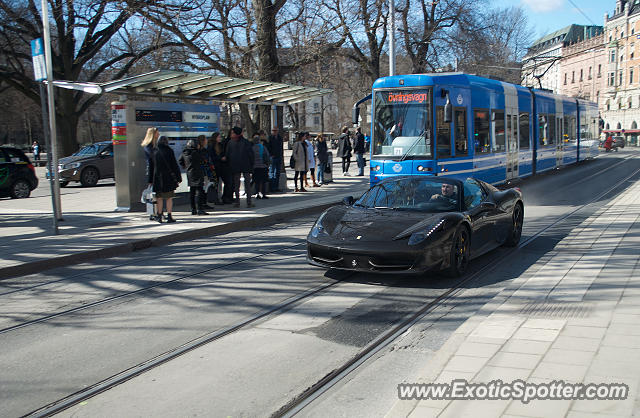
column 166, row 177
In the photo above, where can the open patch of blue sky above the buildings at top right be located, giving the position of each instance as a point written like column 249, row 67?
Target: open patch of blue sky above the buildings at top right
column 546, row 16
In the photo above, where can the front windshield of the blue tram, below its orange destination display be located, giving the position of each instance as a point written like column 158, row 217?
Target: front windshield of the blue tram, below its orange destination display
column 402, row 124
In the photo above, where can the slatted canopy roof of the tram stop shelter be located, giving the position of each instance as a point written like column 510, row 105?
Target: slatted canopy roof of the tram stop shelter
column 196, row 86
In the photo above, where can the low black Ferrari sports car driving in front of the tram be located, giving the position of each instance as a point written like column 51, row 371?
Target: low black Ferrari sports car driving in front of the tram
column 416, row 224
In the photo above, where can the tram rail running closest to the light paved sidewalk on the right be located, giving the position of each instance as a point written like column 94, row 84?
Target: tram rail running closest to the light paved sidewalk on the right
column 320, row 387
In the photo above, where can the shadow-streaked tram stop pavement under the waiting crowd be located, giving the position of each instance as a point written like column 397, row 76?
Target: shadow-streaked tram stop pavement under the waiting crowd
column 92, row 230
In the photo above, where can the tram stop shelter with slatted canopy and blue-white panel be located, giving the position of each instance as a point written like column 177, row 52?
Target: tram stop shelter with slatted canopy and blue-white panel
column 175, row 117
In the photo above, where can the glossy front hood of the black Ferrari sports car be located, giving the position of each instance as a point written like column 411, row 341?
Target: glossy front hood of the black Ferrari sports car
column 374, row 225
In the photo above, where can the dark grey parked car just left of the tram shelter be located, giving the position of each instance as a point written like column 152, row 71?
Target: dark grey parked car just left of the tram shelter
column 87, row 165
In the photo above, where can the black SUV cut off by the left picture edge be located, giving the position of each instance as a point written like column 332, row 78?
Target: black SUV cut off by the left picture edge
column 17, row 174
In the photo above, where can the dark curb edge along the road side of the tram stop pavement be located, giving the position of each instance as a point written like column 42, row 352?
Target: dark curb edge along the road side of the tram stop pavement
column 143, row 244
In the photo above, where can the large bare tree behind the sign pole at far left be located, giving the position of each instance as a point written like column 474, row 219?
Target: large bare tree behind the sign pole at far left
column 82, row 31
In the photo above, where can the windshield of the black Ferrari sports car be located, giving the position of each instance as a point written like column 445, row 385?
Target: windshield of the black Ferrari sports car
column 415, row 194
